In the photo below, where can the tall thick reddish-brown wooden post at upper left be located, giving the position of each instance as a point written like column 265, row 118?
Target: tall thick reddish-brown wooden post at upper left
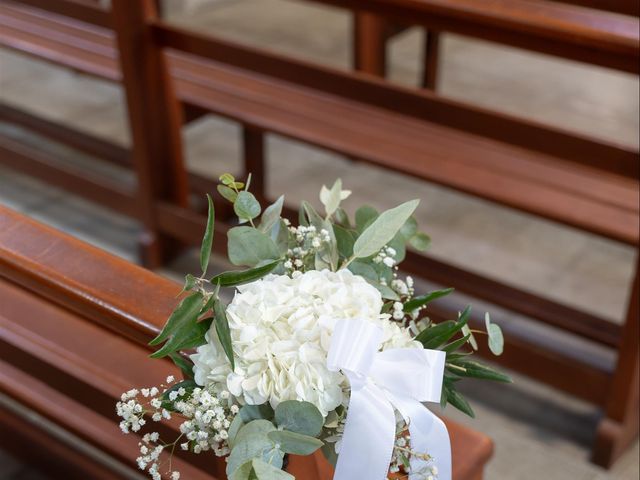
column 155, row 119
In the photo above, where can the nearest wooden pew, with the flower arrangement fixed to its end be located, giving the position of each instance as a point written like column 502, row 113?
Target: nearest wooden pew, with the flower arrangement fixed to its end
column 73, row 336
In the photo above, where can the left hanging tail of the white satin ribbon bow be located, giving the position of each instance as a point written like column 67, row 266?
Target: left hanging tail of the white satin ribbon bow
column 368, row 438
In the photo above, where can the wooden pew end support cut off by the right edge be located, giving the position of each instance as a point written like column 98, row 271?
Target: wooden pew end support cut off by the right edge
column 619, row 427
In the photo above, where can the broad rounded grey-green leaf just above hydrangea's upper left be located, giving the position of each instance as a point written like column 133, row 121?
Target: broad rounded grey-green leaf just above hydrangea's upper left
column 248, row 246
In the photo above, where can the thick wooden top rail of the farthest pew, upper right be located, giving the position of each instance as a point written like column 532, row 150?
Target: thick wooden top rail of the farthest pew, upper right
column 586, row 35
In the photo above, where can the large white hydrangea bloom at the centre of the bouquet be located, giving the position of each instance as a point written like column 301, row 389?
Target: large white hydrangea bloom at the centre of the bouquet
column 281, row 330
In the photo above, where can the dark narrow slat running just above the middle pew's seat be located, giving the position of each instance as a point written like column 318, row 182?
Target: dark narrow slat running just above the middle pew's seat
column 423, row 104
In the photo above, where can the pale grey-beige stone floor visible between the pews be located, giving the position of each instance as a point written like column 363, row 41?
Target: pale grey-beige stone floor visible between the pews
column 539, row 433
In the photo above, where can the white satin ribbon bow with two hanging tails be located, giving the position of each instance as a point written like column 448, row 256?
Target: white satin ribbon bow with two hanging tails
column 400, row 378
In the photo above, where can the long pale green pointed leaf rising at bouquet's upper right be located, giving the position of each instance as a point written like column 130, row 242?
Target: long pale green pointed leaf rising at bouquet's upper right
column 383, row 229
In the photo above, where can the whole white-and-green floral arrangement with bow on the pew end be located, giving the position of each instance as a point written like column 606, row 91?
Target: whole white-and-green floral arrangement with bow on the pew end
column 323, row 347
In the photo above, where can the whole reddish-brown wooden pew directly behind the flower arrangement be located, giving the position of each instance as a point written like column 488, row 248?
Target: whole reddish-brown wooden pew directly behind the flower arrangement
column 544, row 171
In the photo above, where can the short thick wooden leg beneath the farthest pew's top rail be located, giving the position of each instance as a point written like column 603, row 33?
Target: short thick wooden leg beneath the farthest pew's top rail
column 369, row 43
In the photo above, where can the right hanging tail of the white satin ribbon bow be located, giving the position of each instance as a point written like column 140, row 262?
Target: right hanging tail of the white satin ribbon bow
column 428, row 435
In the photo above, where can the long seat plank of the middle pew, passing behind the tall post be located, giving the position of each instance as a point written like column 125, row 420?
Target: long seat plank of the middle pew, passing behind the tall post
column 541, row 184
